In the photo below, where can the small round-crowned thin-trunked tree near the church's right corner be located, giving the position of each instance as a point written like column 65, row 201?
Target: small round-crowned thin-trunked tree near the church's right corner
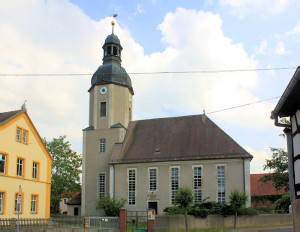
column 237, row 201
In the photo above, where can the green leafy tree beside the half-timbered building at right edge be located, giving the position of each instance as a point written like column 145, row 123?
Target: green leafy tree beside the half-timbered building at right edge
column 279, row 165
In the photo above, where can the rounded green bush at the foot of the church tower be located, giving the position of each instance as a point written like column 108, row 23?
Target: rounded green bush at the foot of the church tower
column 110, row 206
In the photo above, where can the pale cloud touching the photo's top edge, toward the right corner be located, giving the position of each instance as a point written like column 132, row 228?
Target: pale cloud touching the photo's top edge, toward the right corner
column 247, row 7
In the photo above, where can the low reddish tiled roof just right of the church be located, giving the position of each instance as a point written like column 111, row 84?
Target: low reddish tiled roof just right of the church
column 259, row 188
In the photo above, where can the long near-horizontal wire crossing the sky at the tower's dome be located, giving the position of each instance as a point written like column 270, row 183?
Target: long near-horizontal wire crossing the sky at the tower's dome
column 149, row 73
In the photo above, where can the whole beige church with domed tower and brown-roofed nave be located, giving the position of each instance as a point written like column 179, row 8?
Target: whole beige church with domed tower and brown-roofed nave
column 146, row 161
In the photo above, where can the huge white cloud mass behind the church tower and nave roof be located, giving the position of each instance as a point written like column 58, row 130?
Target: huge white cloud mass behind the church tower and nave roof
column 64, row 40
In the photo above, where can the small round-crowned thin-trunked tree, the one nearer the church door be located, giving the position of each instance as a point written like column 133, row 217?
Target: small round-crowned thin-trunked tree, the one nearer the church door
column 184, row 199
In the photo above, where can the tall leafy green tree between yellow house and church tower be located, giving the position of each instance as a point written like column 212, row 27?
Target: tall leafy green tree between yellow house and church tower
column 65, row 170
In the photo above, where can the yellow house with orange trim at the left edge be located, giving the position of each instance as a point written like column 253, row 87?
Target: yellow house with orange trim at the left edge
column 25, row 162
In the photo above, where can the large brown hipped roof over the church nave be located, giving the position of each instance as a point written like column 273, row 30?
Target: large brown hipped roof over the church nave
column 180, row 138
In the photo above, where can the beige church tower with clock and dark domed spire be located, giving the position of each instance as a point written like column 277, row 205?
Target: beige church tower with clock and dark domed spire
column 110, row 111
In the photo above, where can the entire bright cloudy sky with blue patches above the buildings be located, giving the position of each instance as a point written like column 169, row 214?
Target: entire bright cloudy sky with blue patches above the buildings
column 66, row 37
